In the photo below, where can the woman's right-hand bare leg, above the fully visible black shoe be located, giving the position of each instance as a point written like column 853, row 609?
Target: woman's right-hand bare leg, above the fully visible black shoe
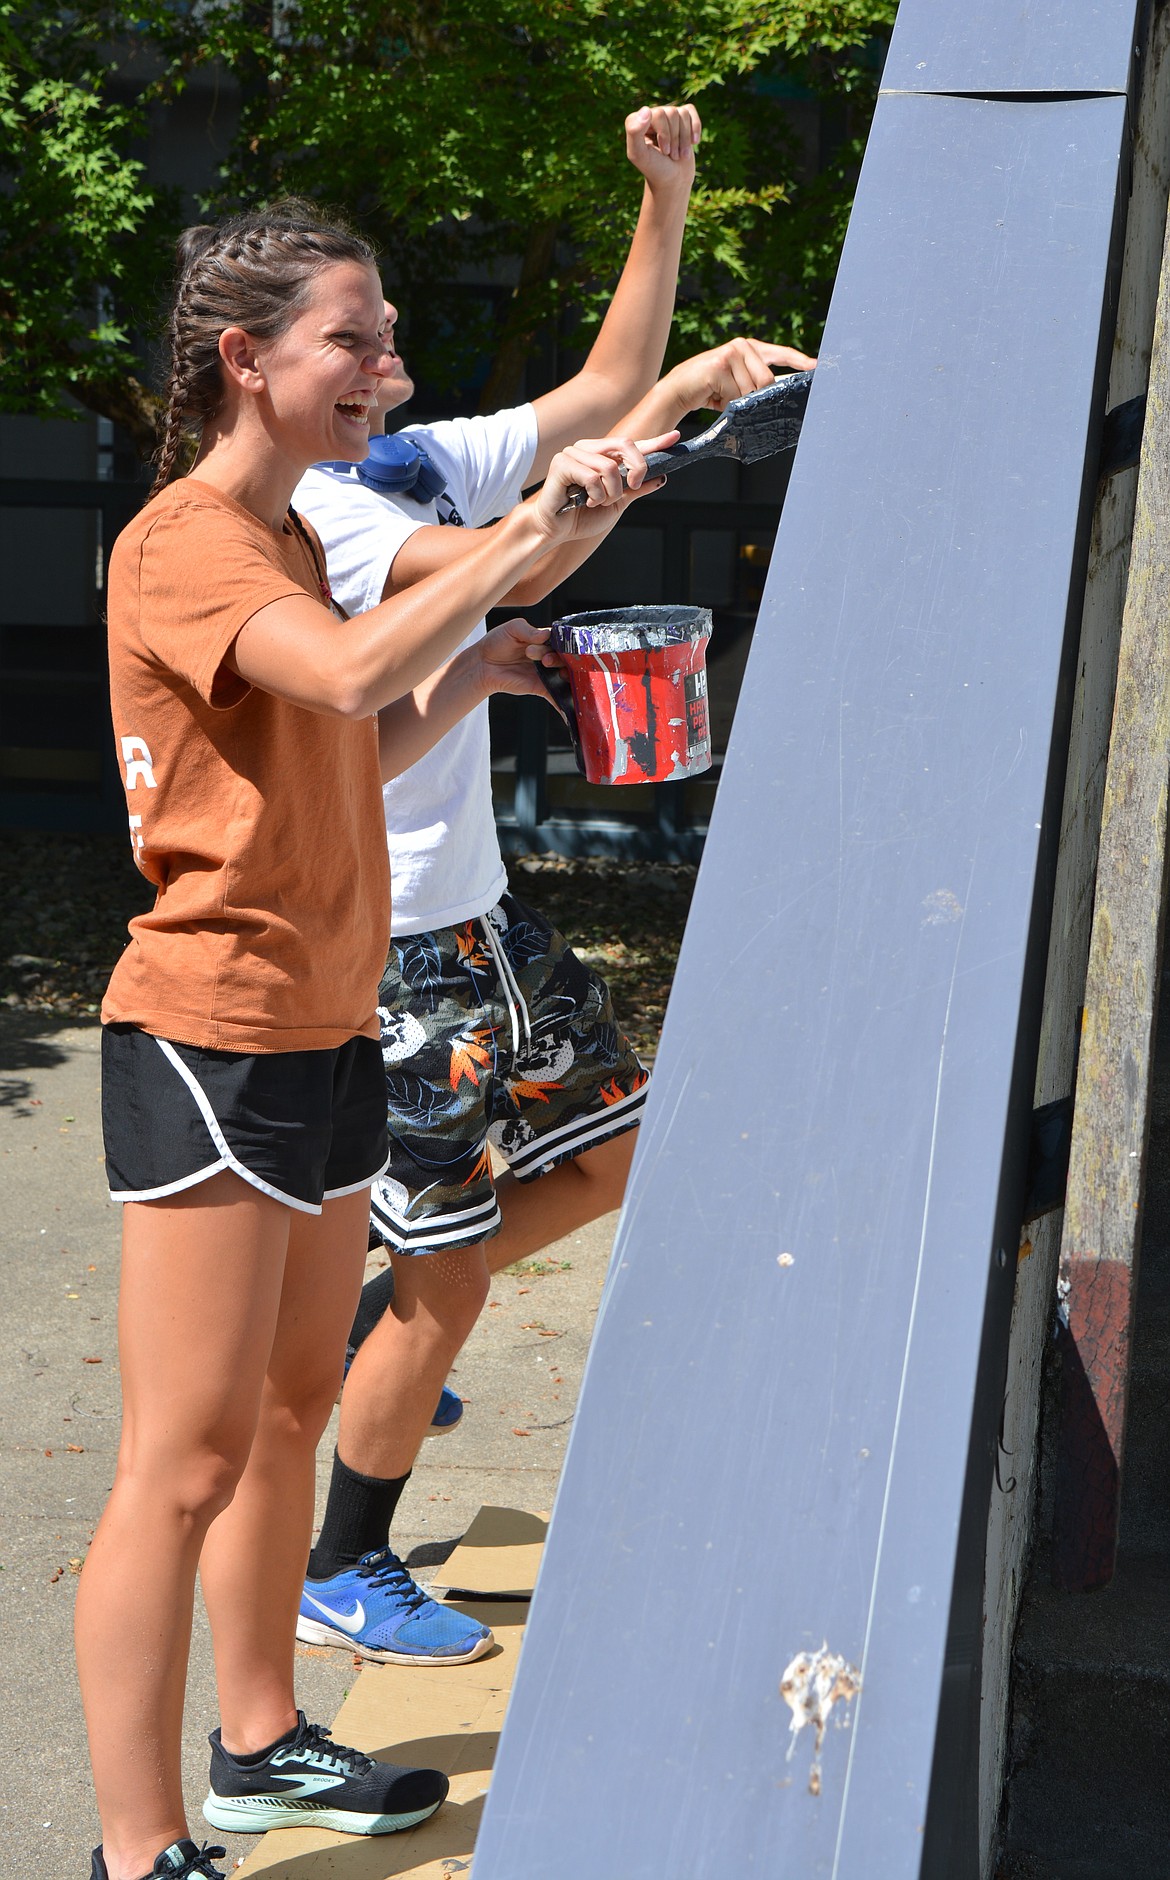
column 257, row 1552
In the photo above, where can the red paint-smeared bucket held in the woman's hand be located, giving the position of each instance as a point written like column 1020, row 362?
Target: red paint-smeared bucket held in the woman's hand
column 633, row 687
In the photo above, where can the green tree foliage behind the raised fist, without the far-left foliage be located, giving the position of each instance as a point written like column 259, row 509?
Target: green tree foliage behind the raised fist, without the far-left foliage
column 467, row 133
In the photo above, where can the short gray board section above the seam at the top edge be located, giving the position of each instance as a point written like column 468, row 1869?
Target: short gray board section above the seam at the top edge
column 1013, row 46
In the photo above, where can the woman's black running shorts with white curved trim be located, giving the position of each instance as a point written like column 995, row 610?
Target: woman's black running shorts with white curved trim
column 298, row 1125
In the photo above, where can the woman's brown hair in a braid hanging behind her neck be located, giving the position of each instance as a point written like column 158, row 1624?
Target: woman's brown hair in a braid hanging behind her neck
column 251, row 272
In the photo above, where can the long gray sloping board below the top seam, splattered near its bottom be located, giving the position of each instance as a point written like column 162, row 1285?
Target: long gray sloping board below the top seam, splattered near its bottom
column 770, row 1456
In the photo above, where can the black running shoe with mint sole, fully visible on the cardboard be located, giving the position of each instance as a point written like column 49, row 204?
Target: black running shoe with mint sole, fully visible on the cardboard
column 309, row 1781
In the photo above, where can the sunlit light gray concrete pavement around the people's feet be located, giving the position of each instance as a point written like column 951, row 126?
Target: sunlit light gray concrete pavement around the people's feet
column 59, row 1420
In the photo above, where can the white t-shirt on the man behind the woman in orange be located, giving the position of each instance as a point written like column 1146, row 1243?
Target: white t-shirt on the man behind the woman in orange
column 445, row 854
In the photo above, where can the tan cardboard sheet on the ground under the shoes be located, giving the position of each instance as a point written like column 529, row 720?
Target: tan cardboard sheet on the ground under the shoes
column 443, row 1717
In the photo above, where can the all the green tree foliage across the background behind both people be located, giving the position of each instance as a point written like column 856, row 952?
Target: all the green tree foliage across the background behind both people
column 464, row 136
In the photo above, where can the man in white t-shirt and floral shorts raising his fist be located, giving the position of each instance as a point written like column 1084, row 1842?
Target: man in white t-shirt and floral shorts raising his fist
column 492, row 1029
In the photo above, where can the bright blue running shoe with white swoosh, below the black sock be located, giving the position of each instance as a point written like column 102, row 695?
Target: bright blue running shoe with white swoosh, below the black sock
column 383, row 1614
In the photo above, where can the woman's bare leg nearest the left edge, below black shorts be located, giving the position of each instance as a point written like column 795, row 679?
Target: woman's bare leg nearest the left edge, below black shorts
column 200, row 1296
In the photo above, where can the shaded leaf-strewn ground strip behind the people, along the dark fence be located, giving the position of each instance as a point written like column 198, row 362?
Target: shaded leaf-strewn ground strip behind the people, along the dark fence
column 65, row 903
